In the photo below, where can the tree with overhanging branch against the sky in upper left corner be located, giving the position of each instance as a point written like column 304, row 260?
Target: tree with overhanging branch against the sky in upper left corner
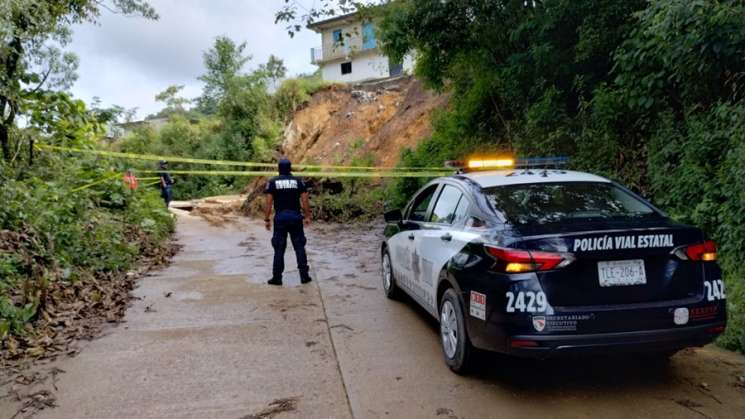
column 33, row 34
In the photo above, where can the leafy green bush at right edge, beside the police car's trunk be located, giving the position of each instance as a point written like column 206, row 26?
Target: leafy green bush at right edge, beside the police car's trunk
column 696, row 174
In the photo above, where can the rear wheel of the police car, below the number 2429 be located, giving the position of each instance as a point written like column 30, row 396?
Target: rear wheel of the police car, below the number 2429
column 456, row 346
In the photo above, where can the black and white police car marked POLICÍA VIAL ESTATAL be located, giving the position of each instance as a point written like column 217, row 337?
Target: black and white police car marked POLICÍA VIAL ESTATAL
column 538, row 261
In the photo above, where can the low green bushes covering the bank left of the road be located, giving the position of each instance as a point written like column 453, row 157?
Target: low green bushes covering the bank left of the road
column 51, row 232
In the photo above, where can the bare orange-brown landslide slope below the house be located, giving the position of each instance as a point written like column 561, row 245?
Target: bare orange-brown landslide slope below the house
column 378, row 120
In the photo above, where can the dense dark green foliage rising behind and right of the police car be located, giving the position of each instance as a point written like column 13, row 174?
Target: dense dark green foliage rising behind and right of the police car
column 646, row 92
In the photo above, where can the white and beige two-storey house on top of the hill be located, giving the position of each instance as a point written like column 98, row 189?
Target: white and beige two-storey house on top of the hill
column 349, row 51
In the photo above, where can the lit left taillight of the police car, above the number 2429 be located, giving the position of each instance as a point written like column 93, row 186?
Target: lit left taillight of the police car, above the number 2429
column 516, row 260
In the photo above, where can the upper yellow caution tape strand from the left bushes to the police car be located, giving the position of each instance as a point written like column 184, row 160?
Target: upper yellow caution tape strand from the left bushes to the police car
column 175, row 159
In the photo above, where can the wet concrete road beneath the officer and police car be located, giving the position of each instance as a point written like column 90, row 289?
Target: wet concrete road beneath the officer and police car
column 208, row 339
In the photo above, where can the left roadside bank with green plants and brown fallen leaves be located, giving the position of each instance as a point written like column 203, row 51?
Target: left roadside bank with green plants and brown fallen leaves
column 65, row 253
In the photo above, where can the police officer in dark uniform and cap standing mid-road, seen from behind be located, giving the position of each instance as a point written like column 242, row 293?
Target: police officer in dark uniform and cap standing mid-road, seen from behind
column 285, row 193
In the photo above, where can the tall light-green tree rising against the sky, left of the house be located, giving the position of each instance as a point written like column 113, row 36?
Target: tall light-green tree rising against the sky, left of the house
column 223, row 62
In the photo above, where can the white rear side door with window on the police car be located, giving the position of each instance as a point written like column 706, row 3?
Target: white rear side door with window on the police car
column 441, row 238
